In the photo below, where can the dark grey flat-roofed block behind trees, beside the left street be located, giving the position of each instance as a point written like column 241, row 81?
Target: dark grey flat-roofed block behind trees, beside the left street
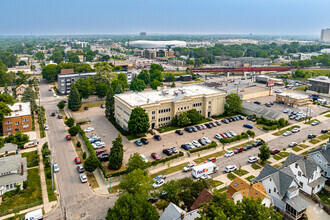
column 65, row 80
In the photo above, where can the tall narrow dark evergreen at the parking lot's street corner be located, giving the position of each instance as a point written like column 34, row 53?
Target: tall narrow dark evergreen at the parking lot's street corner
column 116, row 154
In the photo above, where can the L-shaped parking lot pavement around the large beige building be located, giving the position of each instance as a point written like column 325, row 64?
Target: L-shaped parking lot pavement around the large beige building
column 107, row 132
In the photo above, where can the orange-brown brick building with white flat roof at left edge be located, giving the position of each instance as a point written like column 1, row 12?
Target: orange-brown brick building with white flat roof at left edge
column 19, row 120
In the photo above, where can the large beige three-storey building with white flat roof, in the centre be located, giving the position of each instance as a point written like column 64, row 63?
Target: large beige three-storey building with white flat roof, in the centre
column 163, row 105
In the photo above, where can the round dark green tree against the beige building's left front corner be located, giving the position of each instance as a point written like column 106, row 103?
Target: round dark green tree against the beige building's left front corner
column 138, row 121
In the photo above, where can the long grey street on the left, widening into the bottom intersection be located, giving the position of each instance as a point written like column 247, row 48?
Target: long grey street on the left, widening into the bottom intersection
column 76, row 201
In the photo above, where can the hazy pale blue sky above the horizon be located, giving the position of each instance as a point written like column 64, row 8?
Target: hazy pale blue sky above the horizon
column 48, row 17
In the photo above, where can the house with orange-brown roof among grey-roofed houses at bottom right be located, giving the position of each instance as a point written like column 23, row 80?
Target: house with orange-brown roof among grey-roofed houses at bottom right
column 240, row 188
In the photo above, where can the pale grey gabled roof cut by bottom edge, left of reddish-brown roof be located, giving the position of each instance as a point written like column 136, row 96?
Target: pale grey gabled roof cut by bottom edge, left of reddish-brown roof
column 173, row 212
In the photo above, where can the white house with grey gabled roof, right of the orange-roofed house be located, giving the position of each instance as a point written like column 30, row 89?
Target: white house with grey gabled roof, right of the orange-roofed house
column 283, row 188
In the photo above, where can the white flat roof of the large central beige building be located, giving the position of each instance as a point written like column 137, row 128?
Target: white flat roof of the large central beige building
column 155, row 96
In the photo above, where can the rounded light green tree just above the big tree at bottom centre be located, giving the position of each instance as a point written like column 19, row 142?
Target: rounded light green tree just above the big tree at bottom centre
column 135, row 182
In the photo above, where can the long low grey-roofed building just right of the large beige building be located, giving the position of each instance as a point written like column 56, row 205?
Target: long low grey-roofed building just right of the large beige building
column 250, row 108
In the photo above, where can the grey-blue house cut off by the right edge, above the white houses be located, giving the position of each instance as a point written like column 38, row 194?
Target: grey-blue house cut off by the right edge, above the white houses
column 321, row 157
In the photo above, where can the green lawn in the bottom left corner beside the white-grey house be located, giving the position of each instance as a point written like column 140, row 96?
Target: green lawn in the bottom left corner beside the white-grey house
column 29, row 197
